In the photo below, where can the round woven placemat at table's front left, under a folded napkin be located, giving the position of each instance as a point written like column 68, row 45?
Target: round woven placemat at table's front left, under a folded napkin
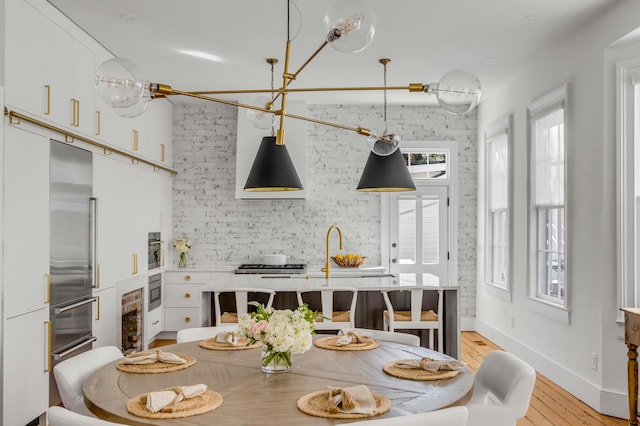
column 200, row 404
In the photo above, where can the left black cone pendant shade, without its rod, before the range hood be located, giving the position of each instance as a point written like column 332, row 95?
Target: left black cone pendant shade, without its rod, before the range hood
column 272, row 169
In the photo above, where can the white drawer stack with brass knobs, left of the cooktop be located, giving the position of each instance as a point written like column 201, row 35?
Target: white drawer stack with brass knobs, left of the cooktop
column 185, row 306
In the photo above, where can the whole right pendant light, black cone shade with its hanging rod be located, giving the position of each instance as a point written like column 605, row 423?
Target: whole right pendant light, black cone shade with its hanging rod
column 386, row 169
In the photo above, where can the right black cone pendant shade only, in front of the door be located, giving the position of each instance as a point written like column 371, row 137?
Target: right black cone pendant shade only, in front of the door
column 386, row 174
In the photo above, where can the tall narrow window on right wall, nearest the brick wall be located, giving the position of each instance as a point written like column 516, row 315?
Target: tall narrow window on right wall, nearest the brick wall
column 497, row 205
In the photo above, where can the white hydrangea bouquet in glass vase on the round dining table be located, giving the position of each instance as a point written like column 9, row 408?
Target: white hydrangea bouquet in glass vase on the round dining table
column 283, row 332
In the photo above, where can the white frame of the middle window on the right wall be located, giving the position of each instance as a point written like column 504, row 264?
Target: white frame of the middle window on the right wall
column 554, row 308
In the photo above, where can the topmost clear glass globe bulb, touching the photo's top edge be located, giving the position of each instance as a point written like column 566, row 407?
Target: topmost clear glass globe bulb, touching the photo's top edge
column 349, row 25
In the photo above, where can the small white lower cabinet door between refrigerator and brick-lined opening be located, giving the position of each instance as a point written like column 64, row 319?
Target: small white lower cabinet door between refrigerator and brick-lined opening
column 106, row 314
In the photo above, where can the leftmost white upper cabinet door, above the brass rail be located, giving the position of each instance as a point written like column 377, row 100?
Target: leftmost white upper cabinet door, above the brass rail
column 27, row 59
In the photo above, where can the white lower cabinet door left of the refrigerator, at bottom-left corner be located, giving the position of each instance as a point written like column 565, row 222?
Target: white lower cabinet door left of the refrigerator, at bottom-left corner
column 25, row 367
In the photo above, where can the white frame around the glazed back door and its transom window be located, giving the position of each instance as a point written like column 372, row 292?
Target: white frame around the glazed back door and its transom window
column 451, row 182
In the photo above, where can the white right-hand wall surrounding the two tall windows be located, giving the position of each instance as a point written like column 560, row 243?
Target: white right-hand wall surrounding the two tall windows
column 561, row 351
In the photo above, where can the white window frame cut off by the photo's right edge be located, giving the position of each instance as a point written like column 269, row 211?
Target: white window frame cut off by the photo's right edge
column 627, row 137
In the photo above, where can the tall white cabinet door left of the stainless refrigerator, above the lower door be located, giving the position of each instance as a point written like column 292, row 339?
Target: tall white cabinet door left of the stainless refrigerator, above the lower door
column 26, row 220
